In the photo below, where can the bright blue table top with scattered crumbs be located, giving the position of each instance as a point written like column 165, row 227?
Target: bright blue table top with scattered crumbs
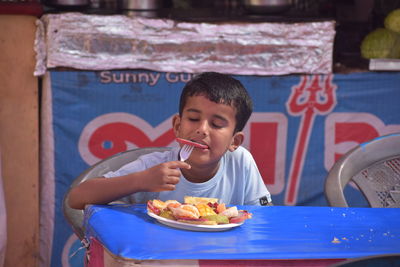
column 277, row 232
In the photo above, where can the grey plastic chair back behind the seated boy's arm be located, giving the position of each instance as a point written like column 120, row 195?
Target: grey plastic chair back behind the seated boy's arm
column 75, row 217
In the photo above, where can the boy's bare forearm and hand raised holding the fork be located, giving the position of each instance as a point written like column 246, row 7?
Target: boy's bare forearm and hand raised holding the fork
column 162, row 177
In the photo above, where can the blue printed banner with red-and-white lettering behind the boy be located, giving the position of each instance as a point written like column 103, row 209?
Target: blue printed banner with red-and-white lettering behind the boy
column 300, row 126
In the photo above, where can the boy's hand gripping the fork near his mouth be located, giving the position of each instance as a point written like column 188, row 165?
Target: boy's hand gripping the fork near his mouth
column 165, row 176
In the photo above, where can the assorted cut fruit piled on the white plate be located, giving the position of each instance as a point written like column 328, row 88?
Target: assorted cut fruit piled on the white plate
column 198, row 210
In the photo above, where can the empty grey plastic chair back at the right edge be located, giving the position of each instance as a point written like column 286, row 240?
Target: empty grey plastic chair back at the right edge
column 374, row 167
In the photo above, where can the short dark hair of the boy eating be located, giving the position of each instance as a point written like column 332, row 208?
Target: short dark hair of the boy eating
column 223, row 89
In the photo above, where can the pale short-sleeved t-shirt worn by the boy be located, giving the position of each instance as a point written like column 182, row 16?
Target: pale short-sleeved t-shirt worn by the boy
column 237, row 182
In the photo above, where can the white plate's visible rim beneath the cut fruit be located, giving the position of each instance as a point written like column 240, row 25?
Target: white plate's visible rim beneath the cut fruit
column 193, row 227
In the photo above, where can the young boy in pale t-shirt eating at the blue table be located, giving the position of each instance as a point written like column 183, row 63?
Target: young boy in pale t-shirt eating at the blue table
column 213, row 111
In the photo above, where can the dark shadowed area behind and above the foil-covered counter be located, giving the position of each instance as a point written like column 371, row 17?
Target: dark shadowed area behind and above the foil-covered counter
column 354, row 18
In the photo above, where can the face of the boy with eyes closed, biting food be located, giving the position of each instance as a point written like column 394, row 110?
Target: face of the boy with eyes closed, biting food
column 208, row 123
